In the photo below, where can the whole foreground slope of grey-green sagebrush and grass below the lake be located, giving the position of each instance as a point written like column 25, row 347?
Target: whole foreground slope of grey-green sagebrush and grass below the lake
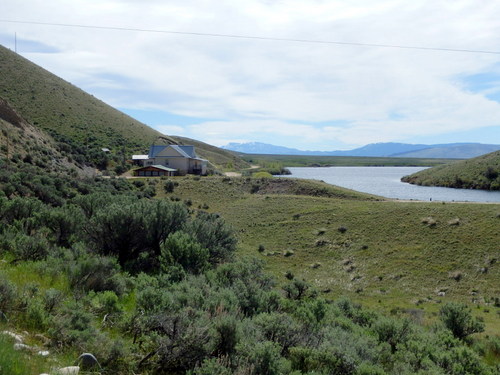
column 167, row 286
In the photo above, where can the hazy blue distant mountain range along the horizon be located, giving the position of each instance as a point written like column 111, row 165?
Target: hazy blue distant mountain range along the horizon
column 390, row 149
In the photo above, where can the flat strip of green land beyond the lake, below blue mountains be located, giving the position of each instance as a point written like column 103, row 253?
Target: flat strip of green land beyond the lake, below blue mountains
column 348, row 161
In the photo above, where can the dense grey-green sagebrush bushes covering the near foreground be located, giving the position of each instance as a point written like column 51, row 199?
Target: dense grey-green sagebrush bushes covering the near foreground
column 151, row 286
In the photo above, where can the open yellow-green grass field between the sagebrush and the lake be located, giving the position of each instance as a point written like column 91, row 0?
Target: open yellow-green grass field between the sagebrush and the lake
column 388, row 255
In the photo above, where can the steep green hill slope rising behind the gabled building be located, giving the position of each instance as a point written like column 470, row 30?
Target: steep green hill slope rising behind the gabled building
column 79, row 120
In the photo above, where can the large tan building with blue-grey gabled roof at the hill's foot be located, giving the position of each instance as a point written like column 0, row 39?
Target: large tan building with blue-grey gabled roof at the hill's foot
column 181, row 158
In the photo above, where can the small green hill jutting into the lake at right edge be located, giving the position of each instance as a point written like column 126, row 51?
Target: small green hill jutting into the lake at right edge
column 482, row 172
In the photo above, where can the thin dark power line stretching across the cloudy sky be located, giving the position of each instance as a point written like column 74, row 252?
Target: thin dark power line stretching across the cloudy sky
column 236, row 36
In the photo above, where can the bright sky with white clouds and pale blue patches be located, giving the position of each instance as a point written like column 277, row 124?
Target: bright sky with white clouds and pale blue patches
column 270, row 88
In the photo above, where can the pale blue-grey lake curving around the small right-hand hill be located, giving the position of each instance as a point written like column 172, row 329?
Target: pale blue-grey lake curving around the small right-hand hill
column 386, row 182
